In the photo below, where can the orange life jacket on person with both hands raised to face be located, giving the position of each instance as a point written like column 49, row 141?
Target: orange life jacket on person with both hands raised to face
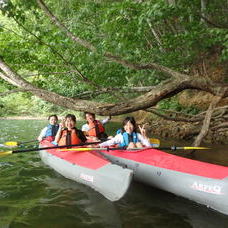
column 69, row 137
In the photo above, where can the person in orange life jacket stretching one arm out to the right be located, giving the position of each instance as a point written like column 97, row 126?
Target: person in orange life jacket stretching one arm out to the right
column 94, row 129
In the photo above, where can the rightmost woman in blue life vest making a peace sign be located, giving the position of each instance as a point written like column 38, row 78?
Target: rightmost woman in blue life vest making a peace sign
column 128, row 137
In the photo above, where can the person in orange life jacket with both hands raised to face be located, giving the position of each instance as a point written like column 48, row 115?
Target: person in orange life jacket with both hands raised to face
column 68, row 134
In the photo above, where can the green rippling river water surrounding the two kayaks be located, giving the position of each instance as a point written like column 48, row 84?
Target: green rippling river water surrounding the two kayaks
column 33, row 195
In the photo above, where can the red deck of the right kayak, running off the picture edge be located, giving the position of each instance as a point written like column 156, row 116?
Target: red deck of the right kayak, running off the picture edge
column 165, row 160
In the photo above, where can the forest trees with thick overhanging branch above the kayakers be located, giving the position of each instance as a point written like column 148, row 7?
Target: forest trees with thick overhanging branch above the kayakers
column 113, row 57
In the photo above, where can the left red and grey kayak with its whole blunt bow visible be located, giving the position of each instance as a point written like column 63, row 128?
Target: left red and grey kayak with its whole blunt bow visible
column 88, row 168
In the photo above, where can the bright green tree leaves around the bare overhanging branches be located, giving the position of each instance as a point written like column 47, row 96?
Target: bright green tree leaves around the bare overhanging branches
column 173, row 35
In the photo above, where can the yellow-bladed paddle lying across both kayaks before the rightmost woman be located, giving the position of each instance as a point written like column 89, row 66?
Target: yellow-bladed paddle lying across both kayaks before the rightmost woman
column 143, row 148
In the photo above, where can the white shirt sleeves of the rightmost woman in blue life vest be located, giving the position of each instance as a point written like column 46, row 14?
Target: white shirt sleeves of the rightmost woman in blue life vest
column 118, row 139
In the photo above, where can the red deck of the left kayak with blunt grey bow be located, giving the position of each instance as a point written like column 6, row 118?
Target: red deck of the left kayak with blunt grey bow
column 84, row 159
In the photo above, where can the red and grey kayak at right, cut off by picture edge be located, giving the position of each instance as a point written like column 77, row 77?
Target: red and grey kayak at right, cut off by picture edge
column 201, row 182
